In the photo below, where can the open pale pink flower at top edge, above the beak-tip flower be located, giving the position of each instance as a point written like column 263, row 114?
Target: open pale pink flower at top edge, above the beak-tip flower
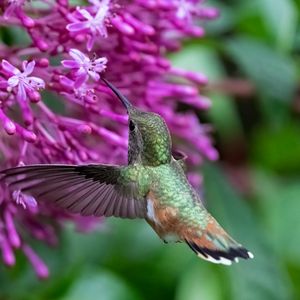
column 94, row 24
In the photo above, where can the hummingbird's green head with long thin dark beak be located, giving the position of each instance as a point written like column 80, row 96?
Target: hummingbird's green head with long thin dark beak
column 149, row 137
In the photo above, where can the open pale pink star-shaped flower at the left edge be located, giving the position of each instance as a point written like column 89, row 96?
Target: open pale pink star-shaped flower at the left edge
column 24, row 83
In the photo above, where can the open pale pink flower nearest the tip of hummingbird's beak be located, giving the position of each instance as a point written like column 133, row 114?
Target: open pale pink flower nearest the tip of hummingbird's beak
column 84, row 67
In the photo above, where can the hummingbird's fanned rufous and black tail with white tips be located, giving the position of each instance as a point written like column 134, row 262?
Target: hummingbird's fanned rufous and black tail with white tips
column 216, row 246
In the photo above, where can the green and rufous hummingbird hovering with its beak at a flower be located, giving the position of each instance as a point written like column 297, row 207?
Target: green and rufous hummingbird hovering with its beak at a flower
column 153, row 186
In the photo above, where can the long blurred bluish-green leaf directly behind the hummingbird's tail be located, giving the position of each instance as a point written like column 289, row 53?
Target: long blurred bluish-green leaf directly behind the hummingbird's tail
column 263, row 277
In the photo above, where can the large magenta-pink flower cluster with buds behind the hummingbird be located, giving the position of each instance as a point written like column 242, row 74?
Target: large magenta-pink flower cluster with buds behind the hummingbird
column 54, row 108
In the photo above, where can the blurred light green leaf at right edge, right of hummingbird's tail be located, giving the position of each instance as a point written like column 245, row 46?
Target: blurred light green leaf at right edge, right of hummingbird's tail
column 279, row 204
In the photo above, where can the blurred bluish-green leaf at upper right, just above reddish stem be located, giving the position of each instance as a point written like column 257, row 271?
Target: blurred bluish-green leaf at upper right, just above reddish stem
column 273, row 74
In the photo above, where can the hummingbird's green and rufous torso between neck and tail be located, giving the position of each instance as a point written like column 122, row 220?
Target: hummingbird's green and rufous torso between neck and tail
column 173, row 206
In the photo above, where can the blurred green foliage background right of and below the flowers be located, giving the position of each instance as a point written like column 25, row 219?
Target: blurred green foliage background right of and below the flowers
column 251, row 56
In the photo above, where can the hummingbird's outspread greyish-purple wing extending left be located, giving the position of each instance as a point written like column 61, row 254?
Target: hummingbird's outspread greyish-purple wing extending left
column 87, row 189
